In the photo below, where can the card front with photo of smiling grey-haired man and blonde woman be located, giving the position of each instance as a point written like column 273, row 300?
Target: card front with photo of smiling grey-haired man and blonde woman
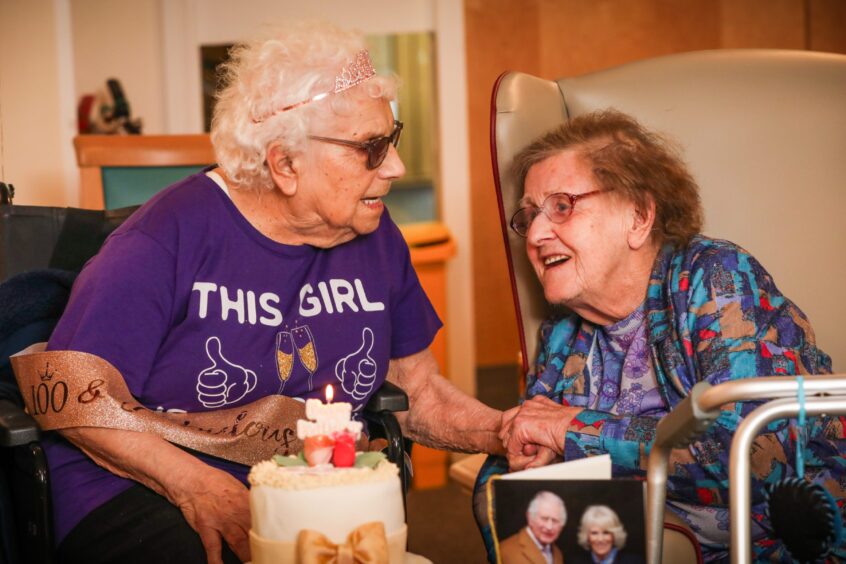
column 601, row 518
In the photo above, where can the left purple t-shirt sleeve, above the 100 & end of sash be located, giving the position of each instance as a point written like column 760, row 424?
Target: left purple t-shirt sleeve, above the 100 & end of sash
column 121, row 306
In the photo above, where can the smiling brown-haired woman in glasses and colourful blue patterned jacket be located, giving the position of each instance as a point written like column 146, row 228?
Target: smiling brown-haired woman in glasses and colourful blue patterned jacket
column 650, row 307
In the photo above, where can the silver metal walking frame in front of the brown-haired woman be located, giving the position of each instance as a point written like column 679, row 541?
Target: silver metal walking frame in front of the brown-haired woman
column 693, row 416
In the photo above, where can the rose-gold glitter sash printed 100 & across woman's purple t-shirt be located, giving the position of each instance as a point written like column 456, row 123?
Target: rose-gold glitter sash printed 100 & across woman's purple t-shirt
column 64, row 389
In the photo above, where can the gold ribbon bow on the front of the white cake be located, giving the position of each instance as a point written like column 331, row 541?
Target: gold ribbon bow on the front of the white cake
column 366, row 544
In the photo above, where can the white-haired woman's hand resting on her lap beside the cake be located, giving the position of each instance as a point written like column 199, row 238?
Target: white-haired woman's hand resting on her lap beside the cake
column 217, row 506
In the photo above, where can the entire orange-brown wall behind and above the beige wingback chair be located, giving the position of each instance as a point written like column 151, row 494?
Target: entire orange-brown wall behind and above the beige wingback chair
column 560, row 38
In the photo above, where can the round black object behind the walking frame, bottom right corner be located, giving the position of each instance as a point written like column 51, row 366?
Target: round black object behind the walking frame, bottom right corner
column 805, row 517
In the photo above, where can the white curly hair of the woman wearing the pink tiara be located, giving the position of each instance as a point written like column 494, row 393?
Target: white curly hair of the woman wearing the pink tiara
column 285, row 66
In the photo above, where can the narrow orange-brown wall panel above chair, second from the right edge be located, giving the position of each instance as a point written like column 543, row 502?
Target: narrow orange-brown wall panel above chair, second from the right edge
column 772, row 24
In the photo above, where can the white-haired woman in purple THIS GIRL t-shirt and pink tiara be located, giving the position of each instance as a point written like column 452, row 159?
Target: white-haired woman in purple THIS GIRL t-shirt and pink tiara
column 275, row 273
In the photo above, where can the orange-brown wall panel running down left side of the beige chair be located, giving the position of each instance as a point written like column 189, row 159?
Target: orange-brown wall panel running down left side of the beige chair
column 501, row 35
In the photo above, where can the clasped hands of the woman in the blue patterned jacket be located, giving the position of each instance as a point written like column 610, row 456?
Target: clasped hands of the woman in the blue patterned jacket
column 533, row 434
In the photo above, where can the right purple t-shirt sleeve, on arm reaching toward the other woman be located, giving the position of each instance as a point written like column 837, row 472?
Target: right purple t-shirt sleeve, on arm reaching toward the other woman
column 414, row 322
